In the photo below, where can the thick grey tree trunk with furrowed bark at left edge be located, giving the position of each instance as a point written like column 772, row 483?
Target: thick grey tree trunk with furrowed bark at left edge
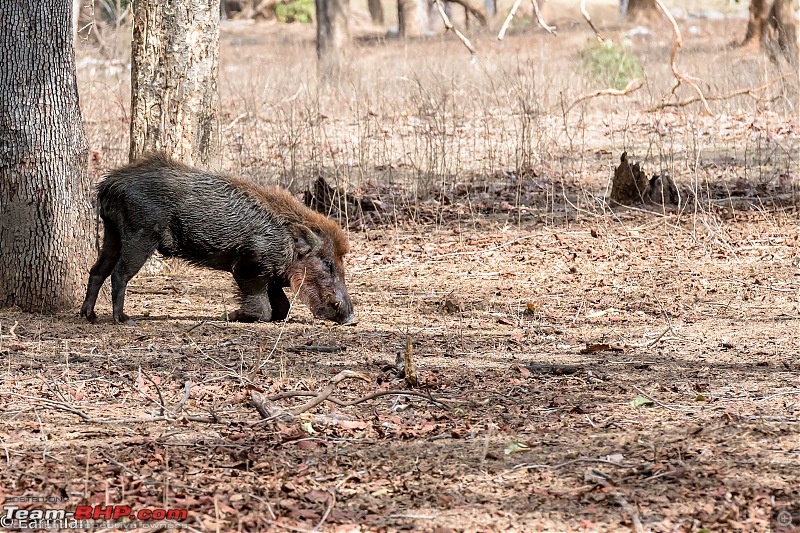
column 46, row 230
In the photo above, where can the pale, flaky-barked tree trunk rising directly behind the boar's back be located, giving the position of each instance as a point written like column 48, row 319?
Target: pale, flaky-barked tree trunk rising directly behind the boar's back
column 174, row 65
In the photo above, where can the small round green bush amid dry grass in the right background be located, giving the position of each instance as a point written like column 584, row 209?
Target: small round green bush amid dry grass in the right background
column 610, row 63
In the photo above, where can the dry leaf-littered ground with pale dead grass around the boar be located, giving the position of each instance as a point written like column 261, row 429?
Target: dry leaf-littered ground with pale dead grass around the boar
column 678, row 410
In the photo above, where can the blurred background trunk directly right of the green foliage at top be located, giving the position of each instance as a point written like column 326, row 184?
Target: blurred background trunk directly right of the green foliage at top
column 333, row 35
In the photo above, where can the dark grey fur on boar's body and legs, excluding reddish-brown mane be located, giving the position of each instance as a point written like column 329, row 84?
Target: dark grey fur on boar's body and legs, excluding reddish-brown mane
column 158, row 204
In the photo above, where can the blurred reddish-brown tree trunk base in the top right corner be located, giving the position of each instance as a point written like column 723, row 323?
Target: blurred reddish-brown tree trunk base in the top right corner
column 771, row 25
